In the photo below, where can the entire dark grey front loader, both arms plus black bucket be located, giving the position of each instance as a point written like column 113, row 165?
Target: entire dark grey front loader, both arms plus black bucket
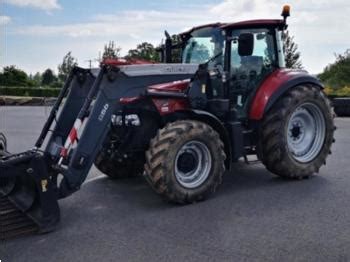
column 77, row 131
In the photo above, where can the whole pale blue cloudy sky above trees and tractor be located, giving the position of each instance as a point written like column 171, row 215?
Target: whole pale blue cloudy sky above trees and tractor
column 36, row 34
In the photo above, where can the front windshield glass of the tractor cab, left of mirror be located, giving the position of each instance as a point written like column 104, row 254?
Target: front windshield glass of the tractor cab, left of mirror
column 202, row 45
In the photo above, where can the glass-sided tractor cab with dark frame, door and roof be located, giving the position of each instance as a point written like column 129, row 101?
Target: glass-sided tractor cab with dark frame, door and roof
column 237, row 57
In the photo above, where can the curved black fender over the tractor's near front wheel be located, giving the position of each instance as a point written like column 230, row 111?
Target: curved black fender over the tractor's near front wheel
column 209, row 119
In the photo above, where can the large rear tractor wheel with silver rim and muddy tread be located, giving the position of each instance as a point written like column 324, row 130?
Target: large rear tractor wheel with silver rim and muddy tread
column 290, row 145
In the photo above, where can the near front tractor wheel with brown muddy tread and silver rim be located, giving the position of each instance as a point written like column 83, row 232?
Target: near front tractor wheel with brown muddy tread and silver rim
column 185, row 161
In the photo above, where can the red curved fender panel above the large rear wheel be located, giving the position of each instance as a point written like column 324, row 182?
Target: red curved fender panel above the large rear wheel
column 268, row 88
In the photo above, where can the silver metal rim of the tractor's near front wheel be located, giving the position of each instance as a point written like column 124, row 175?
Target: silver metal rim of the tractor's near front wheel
column 192, row 164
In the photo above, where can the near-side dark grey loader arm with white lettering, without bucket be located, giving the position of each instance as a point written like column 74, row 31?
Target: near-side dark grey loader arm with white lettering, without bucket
column 111, row 84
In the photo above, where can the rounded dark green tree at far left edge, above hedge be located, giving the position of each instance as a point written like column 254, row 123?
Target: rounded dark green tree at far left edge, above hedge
column 11, row 76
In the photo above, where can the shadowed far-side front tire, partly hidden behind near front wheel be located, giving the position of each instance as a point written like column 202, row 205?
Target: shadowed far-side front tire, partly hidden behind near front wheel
column 117, row 170
